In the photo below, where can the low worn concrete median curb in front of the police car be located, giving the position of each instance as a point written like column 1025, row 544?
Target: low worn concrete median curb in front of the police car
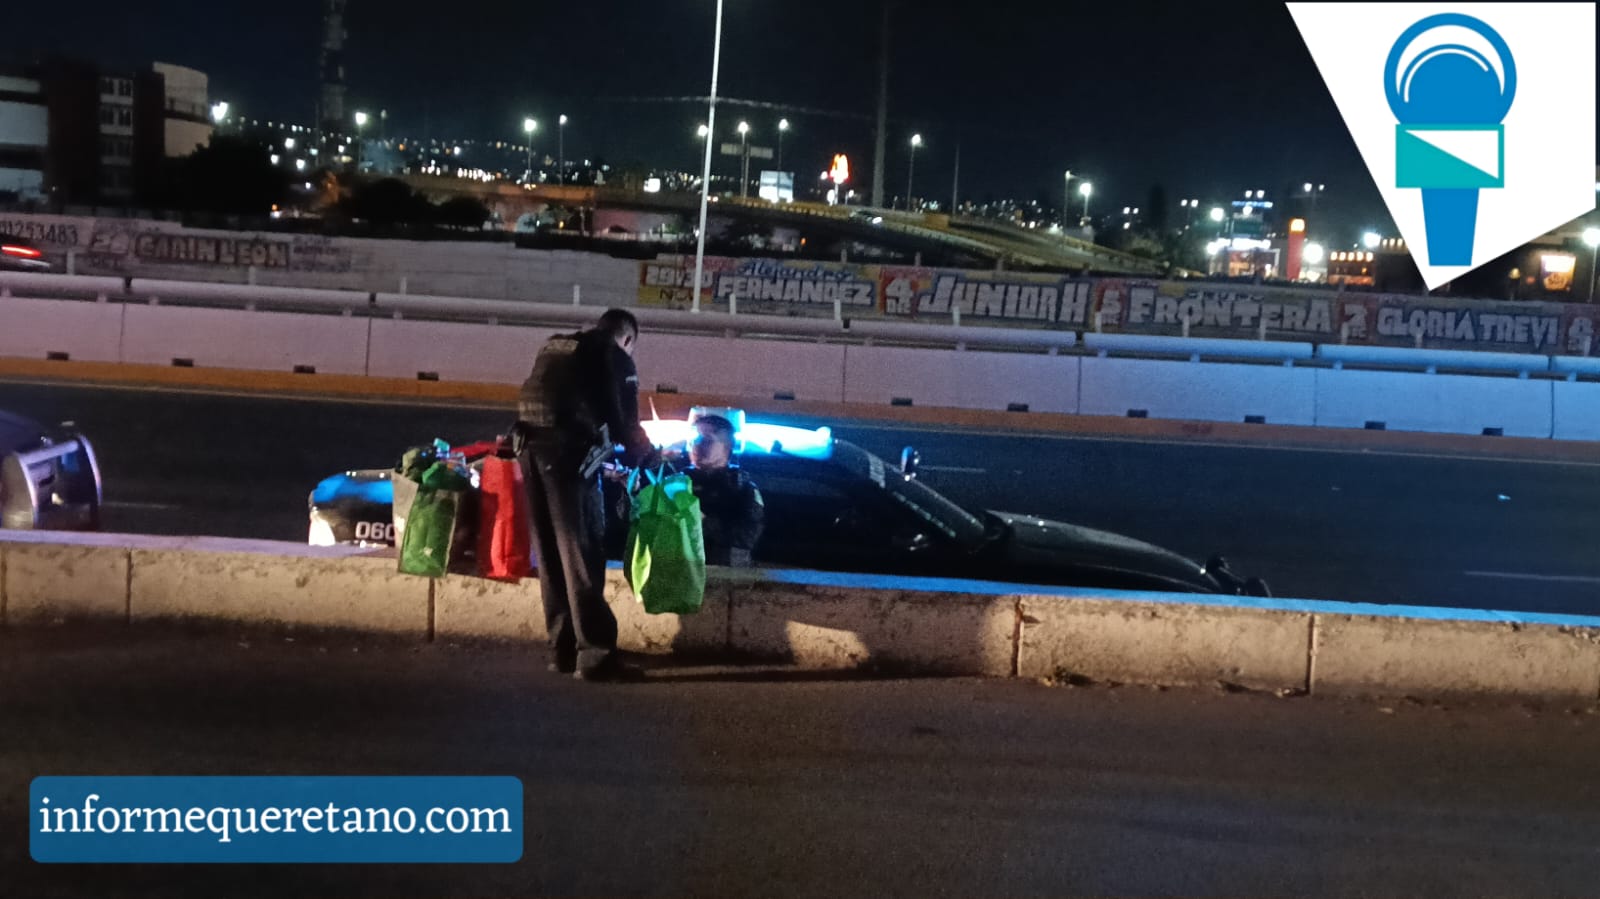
column 831, row 621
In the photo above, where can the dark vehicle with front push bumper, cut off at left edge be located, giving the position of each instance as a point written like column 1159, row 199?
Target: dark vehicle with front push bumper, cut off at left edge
column 49, row 477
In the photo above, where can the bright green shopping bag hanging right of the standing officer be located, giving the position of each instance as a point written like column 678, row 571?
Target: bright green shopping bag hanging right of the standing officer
column 666, row 548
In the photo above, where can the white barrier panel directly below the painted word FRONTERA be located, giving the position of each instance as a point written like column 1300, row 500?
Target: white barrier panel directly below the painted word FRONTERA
column 1199, row 391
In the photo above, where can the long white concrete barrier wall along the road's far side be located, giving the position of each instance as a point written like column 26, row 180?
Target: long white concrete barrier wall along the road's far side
column 762, row 369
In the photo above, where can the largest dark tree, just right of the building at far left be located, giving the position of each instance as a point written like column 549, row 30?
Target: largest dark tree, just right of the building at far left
column 228, row 177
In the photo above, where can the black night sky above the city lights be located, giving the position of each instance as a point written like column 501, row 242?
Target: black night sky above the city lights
column 1207, row 100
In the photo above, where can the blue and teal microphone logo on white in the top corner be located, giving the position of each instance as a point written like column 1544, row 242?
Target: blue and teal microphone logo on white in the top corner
column 1450, row 82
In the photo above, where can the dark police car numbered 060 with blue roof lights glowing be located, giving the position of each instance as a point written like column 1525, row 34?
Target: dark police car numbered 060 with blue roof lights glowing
column 834, row 506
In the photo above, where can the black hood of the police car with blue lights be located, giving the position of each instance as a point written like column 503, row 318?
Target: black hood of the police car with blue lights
column 1046, row 543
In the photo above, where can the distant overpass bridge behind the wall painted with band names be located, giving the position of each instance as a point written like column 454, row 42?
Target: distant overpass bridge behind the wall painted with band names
column 938, row 239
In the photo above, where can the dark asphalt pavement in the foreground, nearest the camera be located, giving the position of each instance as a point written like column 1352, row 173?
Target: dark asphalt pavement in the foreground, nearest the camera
column 718, row 783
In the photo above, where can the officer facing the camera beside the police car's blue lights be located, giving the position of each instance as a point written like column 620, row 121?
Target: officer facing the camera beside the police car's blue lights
column 730, row 503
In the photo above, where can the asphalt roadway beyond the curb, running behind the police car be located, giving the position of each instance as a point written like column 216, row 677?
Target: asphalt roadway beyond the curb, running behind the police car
column 1340, row 525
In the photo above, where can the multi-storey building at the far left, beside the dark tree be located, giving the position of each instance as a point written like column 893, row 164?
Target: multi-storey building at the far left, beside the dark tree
column 76, row 134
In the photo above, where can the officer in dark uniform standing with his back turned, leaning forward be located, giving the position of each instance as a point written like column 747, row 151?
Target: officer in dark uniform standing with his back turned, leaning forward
column 578, row 404
